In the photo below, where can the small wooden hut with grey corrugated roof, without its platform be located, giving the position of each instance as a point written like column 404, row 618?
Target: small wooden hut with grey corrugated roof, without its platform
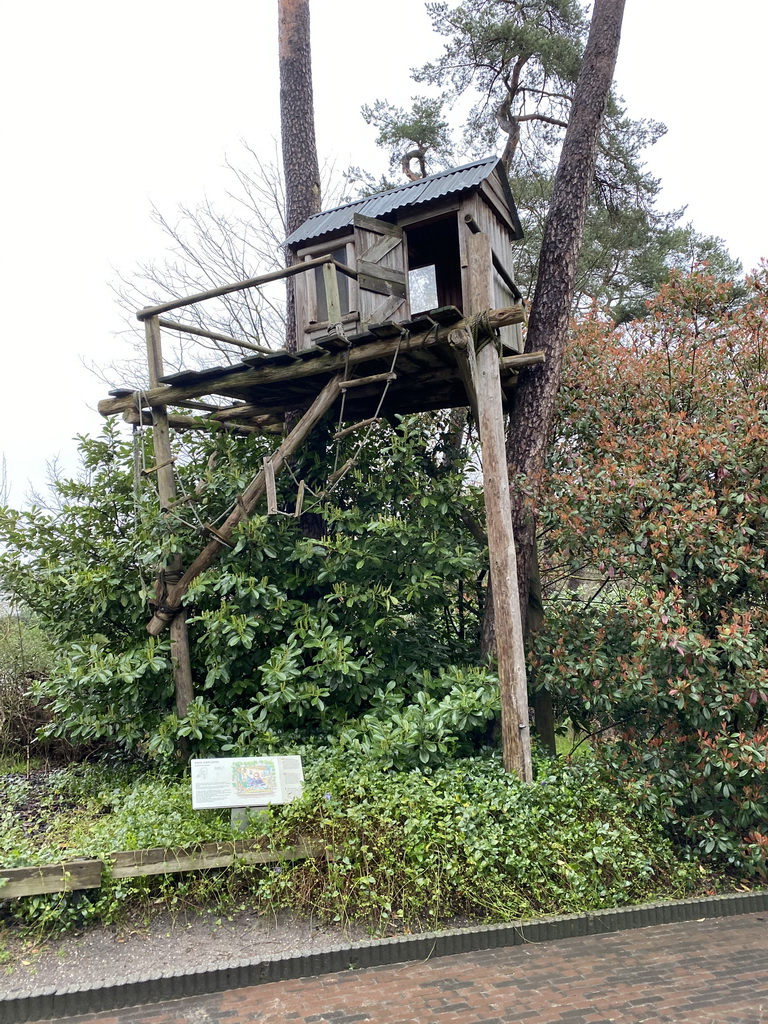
column 409, row 248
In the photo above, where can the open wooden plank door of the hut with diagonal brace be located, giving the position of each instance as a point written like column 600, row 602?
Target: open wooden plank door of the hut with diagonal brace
column 382, row 269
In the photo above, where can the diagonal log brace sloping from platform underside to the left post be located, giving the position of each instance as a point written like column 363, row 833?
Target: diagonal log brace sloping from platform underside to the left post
column 247, row 503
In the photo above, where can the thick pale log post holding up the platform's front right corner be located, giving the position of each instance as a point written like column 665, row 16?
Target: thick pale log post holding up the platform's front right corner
column 510, row 650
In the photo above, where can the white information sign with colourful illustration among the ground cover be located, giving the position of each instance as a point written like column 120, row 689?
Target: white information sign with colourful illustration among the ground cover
column 245, row 782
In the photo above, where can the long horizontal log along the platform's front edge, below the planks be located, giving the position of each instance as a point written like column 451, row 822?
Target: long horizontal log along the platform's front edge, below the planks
column 302, row 370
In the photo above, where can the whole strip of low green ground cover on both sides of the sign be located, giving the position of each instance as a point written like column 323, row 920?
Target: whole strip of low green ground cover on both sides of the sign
column 406, row 849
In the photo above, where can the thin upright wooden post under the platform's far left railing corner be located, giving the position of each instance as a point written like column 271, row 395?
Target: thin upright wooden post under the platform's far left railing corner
column 167, row 492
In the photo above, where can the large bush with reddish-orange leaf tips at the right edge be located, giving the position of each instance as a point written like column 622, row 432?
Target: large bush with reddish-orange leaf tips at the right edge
column 654, row 550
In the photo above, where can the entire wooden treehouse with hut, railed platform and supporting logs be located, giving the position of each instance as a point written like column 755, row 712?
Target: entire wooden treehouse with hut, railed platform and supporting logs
column 406, row 303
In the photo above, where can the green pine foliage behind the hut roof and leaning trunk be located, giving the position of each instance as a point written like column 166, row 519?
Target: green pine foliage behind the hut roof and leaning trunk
column 520, row 61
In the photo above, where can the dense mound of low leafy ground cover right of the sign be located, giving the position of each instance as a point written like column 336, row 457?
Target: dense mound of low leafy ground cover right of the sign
column 466, row 839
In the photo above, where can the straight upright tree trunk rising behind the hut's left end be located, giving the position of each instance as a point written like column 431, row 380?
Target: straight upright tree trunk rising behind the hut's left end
column 301, row 169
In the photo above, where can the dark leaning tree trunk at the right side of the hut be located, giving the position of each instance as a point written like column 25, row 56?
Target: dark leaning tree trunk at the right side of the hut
column 533, row 416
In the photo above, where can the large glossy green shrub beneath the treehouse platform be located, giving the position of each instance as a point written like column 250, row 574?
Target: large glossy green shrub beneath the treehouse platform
column 294, row 638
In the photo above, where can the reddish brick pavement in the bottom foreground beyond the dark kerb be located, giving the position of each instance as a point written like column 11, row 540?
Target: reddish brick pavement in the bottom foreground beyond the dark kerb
column 708, row 972
